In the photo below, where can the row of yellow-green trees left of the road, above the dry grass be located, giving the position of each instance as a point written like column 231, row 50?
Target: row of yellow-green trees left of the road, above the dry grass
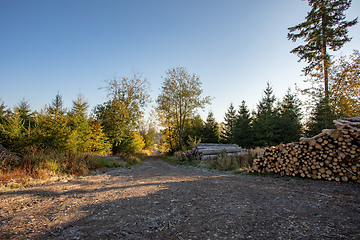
column 112, row 127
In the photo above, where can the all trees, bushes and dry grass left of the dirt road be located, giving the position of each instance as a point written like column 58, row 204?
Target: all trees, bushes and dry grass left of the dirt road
column 58, row 142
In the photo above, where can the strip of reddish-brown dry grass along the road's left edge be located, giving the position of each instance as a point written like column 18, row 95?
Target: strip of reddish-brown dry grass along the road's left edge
column 38, row 166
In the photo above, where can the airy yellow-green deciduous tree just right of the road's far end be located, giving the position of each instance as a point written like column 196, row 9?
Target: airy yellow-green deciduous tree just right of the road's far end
column 178, row 101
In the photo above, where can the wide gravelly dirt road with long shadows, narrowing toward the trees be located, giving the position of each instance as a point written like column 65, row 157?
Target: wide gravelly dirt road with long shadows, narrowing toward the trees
column 156, row 200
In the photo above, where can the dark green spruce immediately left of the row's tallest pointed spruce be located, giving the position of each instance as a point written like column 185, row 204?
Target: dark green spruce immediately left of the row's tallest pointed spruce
column 242, row 131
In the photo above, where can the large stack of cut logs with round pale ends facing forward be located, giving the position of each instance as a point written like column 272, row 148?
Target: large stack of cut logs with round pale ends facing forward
column 333, row 154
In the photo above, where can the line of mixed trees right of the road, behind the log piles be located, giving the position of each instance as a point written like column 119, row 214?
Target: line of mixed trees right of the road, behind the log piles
column 273, row 121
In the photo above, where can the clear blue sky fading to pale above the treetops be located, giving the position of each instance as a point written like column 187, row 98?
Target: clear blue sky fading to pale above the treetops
column 71, row 46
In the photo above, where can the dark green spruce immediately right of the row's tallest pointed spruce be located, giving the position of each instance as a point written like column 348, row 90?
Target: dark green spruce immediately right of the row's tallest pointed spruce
column 290, row 118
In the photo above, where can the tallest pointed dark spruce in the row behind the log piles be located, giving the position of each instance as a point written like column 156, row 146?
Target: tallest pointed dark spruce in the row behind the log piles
column 266, row 123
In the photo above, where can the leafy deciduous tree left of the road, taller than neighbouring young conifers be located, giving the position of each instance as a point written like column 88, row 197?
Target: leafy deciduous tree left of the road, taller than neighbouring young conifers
column 122, row 113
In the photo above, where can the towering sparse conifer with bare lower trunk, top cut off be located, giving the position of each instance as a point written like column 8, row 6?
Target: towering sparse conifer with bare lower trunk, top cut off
column 325, row 29
